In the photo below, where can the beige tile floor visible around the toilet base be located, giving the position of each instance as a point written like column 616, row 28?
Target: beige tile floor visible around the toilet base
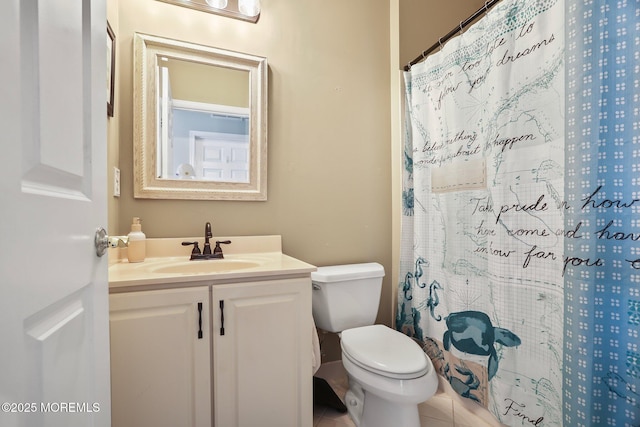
column 439, row 411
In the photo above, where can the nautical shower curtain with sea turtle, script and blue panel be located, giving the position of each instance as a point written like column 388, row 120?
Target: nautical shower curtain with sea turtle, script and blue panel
column 521, row 212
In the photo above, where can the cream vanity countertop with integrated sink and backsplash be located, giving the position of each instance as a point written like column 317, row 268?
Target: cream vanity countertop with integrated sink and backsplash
column 167, row 263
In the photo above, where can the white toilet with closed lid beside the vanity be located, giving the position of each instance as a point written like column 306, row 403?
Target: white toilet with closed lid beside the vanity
column 389, row 374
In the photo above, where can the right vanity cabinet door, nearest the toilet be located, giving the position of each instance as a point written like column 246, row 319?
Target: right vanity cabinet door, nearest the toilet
column 262, row 354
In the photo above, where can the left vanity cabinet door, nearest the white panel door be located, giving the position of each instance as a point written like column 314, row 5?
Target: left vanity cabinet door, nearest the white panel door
column 160, row 358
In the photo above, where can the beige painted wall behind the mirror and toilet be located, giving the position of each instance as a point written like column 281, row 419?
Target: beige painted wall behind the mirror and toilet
column 334, row 125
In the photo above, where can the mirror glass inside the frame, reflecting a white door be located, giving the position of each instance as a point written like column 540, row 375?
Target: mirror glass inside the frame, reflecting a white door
column 217, row 113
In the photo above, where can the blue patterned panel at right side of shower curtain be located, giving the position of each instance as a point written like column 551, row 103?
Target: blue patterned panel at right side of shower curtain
column 602, row 185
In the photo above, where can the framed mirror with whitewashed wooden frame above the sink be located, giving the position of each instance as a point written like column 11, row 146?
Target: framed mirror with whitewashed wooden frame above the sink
column 199, row 122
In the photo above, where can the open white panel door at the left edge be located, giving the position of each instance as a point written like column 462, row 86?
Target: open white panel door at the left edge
column 53, row 291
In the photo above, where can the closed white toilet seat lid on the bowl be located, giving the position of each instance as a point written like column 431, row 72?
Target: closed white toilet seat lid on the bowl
column 384, row 351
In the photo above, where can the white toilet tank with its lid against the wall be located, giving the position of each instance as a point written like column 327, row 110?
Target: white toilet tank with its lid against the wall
column 346, row 296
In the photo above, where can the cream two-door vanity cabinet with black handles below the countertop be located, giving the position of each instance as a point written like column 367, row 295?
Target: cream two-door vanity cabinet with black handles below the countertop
column 220, row 355
